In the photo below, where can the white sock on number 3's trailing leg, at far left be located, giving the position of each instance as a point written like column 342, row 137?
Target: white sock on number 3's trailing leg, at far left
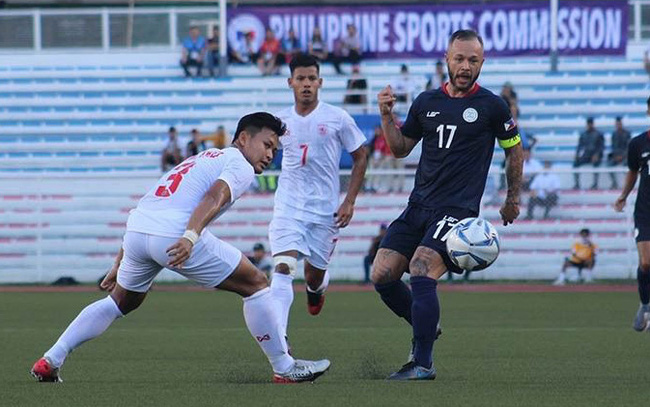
column 91, row 322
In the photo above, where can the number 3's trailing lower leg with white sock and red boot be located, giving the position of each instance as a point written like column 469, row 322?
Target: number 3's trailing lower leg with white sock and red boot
column 91, row 322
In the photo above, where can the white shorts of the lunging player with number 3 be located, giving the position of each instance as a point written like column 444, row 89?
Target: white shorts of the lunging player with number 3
column 211, row 261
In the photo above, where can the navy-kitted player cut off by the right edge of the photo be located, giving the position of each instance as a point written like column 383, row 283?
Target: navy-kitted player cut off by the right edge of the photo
column 638, row 163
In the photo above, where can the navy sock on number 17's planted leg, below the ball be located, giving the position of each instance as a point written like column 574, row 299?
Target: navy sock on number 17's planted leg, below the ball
column 426, row 314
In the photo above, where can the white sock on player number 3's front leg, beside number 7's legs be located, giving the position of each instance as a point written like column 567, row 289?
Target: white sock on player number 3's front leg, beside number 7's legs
column 262, row 322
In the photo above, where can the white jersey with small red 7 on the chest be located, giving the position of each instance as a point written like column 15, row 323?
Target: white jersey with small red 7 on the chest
column 308, row 188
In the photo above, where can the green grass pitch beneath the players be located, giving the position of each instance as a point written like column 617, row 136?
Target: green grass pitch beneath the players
column 192, row 348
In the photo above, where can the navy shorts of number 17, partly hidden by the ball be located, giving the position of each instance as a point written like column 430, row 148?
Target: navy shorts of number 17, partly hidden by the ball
column 418, row 226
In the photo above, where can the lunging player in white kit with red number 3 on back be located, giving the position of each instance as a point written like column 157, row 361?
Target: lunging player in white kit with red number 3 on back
column 167, row 229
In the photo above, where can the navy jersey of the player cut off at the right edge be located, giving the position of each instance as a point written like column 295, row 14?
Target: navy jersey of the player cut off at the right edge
column 638, row 159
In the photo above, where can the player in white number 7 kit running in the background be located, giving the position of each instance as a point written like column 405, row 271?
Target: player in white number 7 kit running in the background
column 307, row 214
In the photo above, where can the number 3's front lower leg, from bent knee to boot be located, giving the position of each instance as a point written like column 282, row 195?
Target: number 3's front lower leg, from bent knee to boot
column 260, row 314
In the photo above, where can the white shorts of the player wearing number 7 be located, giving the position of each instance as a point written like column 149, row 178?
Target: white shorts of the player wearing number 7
column 313, row 241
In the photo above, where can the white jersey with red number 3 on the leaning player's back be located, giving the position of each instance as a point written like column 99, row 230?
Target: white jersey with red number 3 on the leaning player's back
column 166, row 209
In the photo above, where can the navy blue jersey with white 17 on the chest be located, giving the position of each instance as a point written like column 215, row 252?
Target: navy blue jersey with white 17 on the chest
column 458, row 137
